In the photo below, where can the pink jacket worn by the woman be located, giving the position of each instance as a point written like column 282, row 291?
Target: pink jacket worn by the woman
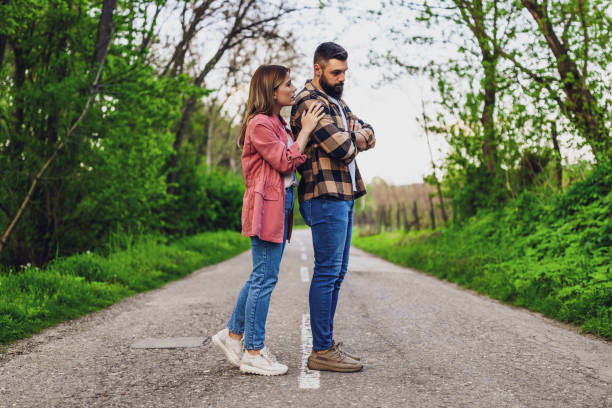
column 265, row 160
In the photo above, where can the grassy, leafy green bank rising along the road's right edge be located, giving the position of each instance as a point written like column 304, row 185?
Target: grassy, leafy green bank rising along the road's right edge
column 549, row 254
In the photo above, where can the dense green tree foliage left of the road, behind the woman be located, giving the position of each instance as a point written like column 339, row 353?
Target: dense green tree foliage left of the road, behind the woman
column 112, row 174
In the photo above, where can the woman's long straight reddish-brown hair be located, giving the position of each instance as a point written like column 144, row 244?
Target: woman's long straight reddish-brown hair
column 261, row 94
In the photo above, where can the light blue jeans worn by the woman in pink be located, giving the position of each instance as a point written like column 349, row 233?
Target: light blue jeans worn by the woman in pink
column 251, row 309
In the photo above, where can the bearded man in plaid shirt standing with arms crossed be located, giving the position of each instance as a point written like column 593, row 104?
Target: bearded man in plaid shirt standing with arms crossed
column 329, row 185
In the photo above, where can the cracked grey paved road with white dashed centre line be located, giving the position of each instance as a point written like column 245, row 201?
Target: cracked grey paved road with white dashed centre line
column 426, row 343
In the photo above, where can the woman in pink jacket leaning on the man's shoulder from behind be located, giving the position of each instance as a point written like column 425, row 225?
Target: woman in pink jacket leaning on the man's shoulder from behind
column 269, row 158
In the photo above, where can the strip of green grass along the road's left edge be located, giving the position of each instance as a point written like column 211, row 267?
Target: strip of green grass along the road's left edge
column 32, row 299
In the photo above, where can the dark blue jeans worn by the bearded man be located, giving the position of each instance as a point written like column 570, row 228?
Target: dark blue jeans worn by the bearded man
column 331, row 222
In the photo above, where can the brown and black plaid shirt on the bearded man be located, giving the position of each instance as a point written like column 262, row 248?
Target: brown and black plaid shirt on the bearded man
column 326, row 172
